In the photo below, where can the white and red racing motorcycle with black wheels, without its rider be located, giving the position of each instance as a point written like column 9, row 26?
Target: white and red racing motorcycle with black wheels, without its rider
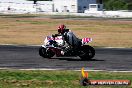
column 55, row 46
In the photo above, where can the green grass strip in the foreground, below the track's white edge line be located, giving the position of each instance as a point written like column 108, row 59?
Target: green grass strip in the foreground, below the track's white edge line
column 55, row 79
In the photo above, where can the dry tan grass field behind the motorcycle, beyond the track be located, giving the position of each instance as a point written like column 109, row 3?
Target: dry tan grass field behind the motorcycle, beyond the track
column 26, row 29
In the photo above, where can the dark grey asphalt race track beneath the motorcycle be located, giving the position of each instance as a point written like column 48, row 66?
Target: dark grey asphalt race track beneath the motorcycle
column 27, row 57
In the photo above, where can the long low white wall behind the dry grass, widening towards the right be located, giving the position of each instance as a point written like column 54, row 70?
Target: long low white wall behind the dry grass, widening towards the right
column 107, row 14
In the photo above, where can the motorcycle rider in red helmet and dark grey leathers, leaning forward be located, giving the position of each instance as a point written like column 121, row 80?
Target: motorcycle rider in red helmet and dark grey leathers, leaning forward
column 69, row 37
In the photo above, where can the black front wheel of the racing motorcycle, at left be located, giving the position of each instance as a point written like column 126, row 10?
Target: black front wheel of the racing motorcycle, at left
column 46, row 53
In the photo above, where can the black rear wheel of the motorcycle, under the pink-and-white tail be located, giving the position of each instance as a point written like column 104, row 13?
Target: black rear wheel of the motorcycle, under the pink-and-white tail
column 88, row 53
